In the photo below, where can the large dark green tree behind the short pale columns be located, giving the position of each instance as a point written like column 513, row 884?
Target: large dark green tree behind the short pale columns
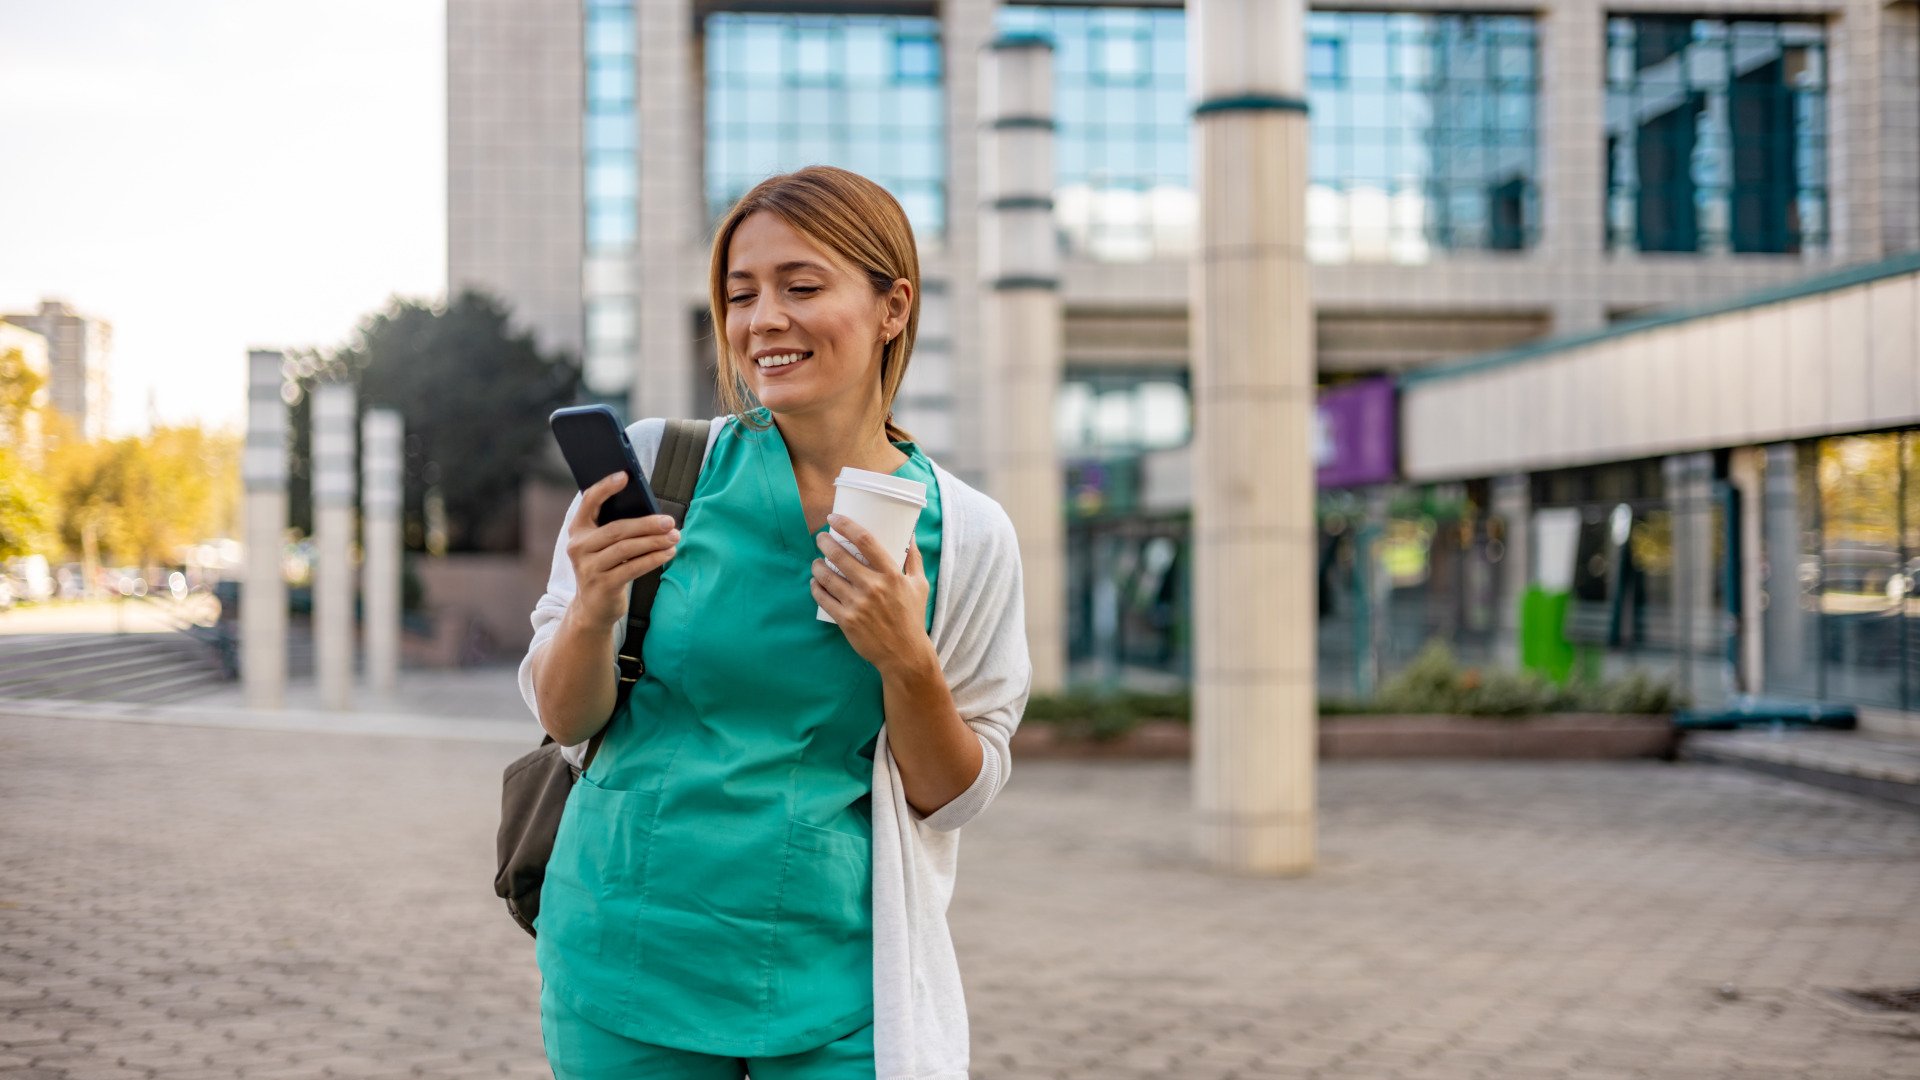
column 475, row 397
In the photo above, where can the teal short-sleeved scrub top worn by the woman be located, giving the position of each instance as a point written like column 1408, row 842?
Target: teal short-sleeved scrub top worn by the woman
column 711, row 883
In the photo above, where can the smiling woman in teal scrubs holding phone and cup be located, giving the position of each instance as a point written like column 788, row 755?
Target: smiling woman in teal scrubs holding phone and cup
column 754, row 873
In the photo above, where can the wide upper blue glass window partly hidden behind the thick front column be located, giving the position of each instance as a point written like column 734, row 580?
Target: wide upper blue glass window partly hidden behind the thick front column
column 1424, row 132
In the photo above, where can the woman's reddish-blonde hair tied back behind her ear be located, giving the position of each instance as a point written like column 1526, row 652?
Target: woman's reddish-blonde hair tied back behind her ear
column 852, row 218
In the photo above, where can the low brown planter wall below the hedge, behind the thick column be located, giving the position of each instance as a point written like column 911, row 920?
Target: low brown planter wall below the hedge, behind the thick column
column 1548, row 737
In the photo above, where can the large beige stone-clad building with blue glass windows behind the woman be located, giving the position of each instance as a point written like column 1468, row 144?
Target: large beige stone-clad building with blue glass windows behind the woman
column 1481, row 178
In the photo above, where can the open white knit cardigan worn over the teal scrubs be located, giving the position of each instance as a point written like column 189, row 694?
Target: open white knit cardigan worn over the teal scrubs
column 980, row 633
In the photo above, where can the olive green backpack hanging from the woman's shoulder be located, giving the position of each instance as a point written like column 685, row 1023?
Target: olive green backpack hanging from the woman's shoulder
column 535, row 789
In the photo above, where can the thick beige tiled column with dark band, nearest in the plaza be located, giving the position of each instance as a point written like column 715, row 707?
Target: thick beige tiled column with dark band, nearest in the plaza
column 1253, row 351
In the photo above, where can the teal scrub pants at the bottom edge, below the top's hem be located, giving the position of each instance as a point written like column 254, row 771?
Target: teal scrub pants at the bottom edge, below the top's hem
column 583, row 1050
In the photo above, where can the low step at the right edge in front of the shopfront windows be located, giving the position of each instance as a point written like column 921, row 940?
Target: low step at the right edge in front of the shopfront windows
column 1881, row 766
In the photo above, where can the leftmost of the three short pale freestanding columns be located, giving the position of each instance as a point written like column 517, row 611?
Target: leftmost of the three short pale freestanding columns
column 264, row 591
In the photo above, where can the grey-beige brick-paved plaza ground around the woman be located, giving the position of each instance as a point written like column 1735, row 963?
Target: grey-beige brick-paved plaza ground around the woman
column 197, row 902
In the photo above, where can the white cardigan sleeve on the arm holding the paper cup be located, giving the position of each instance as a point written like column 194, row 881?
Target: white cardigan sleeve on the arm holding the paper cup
column 990, row 670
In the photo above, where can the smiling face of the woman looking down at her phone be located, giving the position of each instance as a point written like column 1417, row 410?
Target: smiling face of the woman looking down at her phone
column 805, row 330
